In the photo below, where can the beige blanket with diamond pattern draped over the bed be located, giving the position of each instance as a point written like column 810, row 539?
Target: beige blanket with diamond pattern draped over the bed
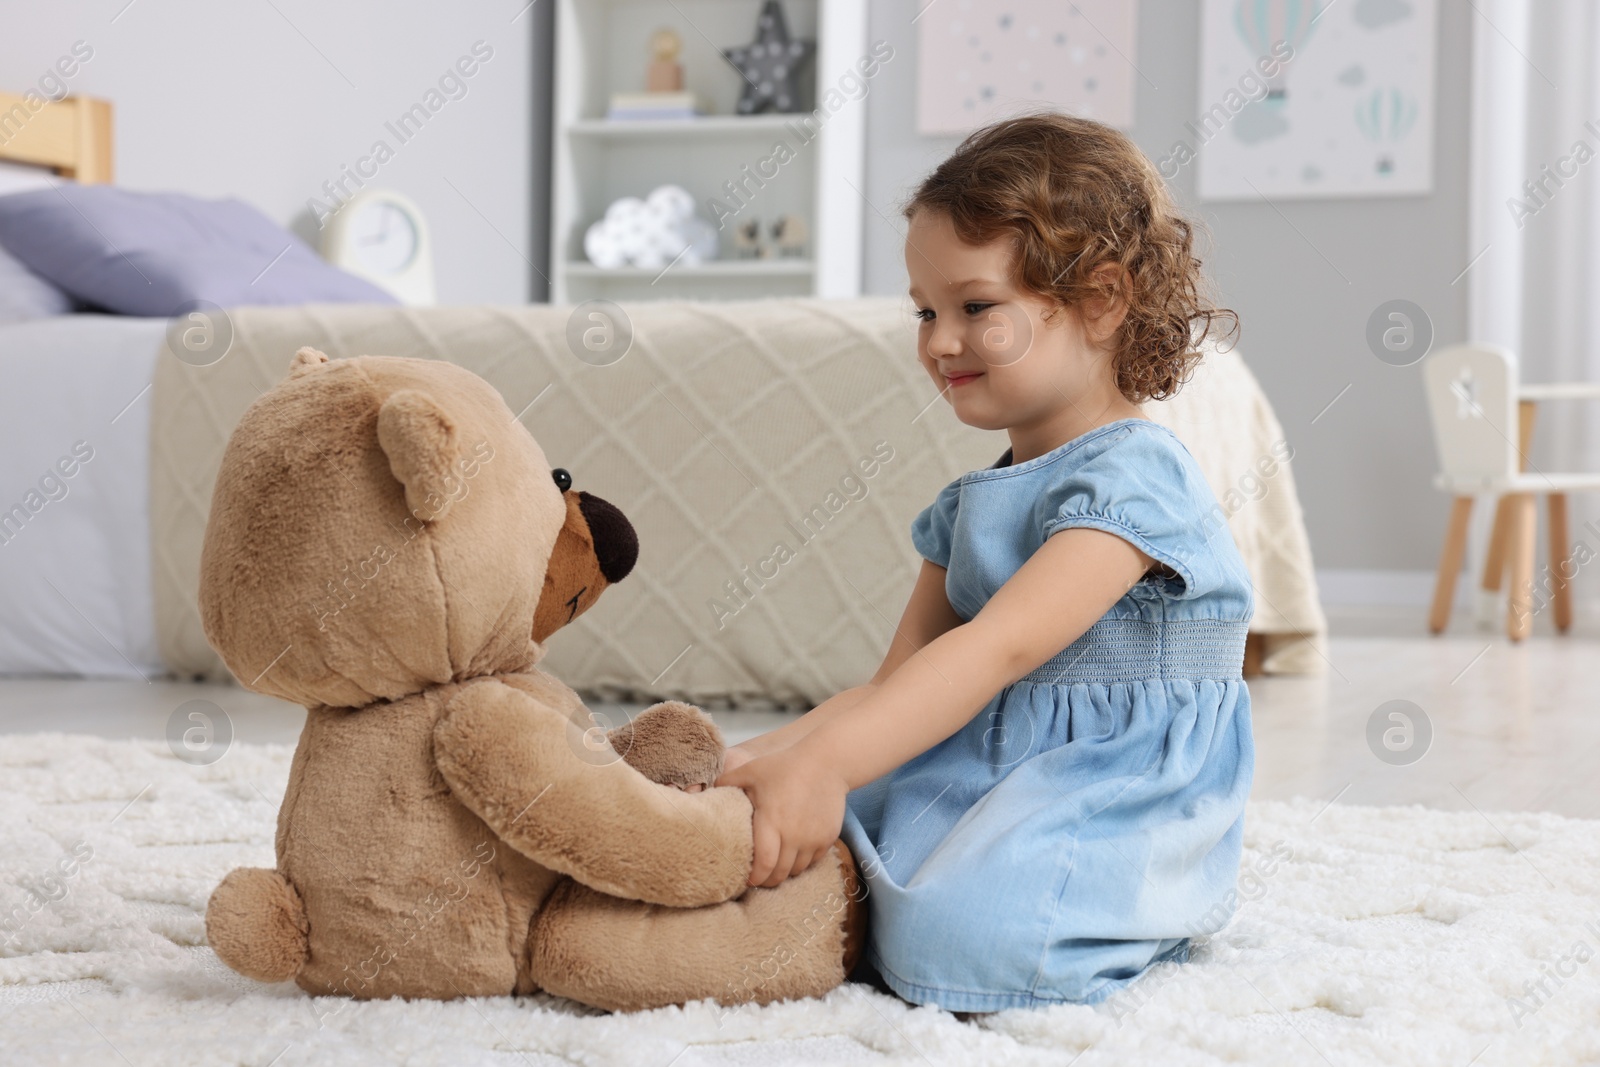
column 772, row 569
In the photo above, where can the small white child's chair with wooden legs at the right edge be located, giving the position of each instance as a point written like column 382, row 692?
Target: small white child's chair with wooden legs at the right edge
column 1482, row 431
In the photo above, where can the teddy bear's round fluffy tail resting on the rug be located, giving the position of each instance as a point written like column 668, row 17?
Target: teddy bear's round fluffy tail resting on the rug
column 257, row 925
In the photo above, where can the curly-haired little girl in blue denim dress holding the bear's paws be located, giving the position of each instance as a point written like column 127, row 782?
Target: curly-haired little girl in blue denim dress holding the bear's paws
column 1046, row 781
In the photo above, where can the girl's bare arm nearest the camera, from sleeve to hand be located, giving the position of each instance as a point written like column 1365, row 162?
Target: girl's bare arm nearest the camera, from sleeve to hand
column 799, row 793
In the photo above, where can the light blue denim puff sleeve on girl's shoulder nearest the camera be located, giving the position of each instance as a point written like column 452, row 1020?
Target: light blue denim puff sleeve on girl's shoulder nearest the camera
column 1146, row 489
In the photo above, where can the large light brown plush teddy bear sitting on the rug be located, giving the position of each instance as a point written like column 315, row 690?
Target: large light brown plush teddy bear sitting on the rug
column 390, row 548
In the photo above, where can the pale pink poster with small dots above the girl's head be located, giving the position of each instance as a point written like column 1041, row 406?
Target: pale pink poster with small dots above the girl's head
column 985, row 60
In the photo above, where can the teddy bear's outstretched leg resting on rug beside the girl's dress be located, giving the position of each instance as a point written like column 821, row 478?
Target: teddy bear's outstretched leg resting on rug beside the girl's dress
column 796, row 940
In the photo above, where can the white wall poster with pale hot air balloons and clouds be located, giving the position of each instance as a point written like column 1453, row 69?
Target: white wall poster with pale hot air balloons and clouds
column 1314, row 98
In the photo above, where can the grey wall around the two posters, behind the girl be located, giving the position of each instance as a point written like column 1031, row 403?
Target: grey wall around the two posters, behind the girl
column 1303, row 276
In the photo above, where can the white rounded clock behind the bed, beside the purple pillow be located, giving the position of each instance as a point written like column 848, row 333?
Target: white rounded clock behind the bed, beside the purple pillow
column 383, row 238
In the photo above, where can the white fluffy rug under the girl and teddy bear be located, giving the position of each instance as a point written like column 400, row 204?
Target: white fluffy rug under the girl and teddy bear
column 1366, row 937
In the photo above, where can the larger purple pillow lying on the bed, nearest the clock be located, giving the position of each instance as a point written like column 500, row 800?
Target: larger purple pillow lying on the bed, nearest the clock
column 154, row 254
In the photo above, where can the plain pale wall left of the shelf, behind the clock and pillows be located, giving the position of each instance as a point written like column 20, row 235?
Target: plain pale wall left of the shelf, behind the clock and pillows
column 266, row 102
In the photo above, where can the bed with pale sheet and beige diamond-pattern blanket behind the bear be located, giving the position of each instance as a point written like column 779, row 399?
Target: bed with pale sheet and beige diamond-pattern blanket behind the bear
column 721, row 433
